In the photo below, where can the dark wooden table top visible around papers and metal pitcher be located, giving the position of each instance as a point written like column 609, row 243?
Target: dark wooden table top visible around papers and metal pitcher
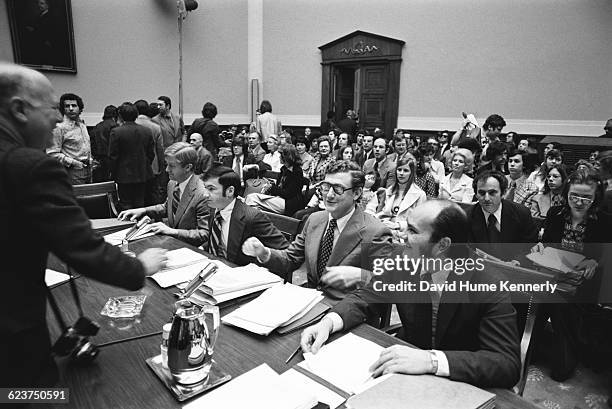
column 120, row 377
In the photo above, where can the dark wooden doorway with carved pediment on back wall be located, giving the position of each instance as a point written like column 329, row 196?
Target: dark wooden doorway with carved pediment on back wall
column 361, row 71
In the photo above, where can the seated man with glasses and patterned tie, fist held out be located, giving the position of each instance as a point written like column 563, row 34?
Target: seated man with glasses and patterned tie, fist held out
column 331, row 241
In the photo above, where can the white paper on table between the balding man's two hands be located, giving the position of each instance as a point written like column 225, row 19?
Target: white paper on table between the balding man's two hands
column 345, row 363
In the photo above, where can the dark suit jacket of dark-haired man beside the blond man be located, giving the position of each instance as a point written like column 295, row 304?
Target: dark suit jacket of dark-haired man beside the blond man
column 247, row 221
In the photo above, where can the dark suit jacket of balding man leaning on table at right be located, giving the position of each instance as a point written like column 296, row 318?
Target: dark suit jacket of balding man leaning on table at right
column 477, row 331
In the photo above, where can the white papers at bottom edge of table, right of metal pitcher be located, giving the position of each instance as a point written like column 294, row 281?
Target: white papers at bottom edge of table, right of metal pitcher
column 260, row 388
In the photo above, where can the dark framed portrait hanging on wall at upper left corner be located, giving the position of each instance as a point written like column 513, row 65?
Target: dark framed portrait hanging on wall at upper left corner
column 42, row 34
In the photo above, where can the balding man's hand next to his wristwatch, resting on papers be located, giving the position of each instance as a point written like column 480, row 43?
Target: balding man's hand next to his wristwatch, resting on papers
column 402, row 359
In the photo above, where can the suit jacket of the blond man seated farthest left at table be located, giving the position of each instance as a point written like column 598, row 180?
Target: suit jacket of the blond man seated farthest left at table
column 191, row 218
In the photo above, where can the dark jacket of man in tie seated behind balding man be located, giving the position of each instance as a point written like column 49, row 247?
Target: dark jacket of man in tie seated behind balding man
column 517, row 226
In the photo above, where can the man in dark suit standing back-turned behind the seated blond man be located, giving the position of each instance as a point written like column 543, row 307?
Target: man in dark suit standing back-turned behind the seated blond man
column 131, row 152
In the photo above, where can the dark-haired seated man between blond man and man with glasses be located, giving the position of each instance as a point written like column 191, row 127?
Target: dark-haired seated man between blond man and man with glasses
column 232, row 215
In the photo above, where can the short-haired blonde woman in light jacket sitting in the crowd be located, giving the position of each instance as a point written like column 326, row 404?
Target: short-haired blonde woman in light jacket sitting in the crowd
column 457, row 185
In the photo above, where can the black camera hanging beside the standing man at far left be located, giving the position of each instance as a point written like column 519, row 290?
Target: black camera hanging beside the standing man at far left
column 75, row 341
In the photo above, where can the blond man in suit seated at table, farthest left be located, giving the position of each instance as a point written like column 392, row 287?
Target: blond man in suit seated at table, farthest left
column 187, row 205
